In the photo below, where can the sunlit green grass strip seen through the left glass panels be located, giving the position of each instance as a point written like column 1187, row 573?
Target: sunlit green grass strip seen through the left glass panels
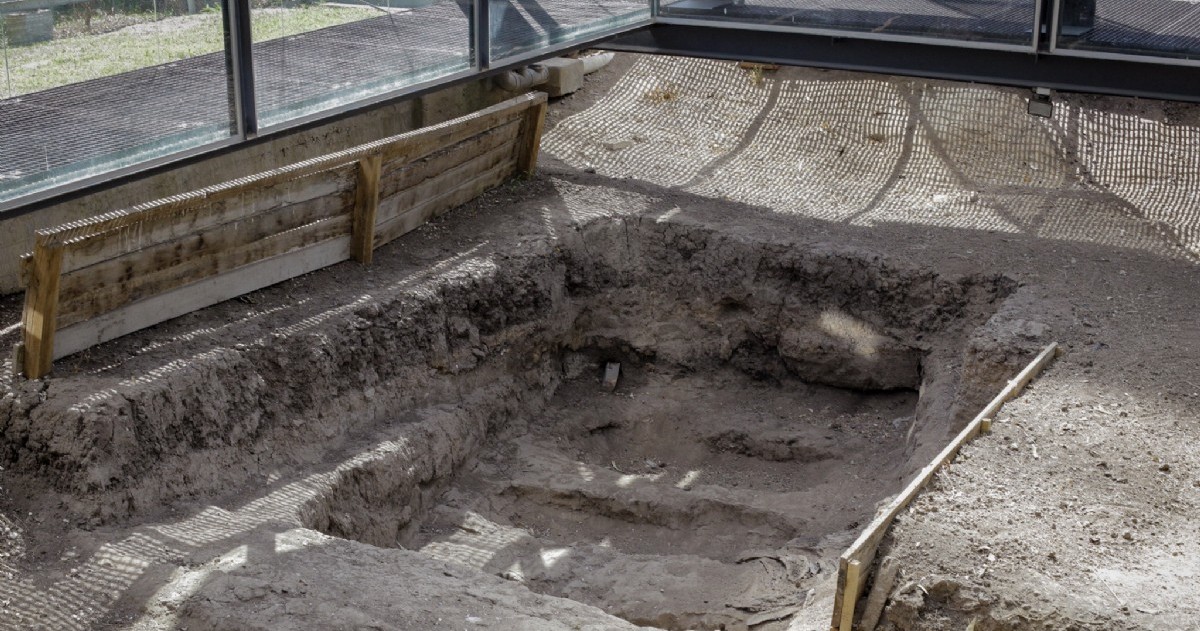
column 32, row 69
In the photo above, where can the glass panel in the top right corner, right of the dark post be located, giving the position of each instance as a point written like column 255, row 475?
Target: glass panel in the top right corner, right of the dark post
column 1162, row 28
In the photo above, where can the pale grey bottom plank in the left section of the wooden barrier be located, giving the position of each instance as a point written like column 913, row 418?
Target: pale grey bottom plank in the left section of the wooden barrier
column 200, row 295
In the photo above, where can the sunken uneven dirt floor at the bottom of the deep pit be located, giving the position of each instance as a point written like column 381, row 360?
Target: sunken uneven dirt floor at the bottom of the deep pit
column 680, row 501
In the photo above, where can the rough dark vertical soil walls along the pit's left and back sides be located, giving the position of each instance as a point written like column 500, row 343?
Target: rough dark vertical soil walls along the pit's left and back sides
column 483, row 340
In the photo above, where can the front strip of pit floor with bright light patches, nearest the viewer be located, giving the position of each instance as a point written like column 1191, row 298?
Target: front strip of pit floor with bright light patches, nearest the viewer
column 662, row 591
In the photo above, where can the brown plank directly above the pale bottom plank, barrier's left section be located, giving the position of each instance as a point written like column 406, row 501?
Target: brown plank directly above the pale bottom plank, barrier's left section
column 92, row 304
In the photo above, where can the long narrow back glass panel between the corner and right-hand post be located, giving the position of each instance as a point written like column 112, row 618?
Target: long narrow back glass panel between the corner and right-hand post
column 979, row 21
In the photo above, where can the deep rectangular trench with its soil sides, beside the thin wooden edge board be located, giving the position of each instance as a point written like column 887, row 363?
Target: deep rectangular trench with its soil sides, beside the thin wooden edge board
column 770, row 399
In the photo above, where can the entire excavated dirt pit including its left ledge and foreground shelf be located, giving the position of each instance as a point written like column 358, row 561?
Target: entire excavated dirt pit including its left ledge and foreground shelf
column 443, row 449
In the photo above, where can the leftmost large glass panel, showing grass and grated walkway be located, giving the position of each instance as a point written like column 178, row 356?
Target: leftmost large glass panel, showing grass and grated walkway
column 87, row 89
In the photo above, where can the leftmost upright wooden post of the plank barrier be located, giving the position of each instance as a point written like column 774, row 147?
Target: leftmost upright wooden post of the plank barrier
column 40, row 318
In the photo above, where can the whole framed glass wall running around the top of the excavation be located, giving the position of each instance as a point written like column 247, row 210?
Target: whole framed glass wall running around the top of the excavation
column 89, row 87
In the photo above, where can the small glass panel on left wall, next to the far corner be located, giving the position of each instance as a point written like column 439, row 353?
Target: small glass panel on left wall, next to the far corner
column 524, row 26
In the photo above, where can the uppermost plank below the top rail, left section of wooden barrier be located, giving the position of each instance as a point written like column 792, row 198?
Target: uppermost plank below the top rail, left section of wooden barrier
column 183, row 223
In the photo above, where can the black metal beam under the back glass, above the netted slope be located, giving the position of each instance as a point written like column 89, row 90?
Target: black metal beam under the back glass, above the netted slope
column 1150, row 80
